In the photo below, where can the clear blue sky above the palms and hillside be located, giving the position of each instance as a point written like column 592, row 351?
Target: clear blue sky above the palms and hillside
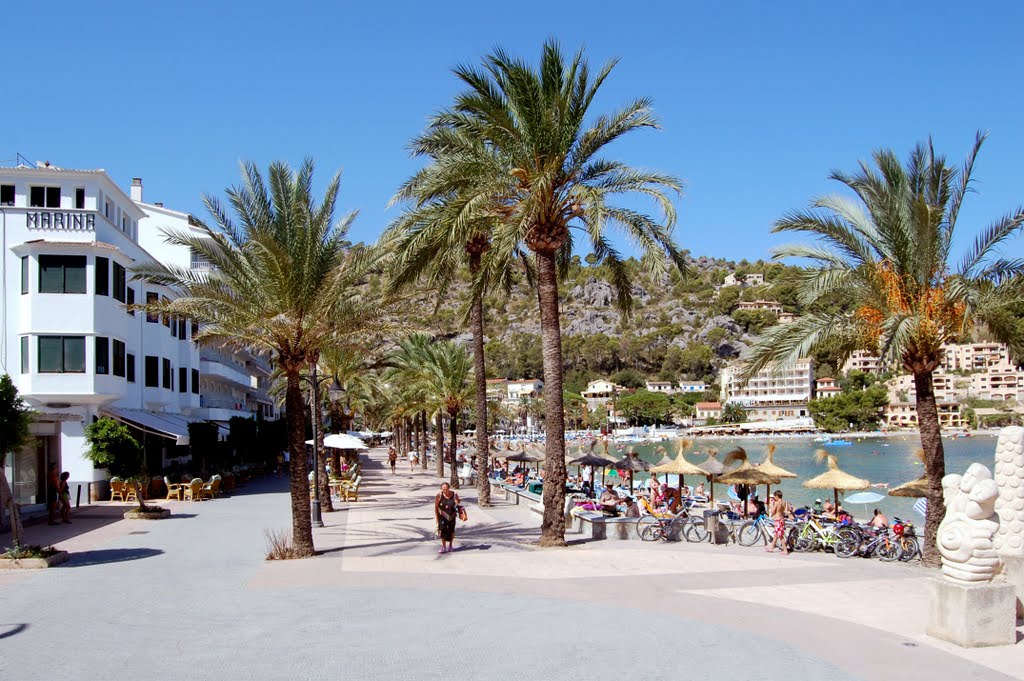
column 758, row 101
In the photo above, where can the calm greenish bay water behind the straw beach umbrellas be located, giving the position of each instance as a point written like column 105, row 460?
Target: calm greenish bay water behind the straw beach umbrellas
column 889, row 460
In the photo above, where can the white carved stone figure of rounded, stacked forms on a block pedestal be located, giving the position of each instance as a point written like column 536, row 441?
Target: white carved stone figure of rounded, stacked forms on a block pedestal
column 965, row 536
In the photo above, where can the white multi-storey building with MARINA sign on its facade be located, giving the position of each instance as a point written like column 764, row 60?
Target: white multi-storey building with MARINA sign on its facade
column 70, row 345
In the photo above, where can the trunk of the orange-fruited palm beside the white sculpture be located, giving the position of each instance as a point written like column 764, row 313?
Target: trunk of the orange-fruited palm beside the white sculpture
column 935, row 464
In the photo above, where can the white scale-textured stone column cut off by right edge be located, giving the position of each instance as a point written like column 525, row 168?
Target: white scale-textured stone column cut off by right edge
column 1010, row 505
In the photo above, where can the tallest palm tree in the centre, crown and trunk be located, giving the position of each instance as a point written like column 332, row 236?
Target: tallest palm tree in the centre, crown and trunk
column 517, row 148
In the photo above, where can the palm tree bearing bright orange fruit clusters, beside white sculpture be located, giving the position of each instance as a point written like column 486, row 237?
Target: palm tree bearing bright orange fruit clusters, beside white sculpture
column 889, row 257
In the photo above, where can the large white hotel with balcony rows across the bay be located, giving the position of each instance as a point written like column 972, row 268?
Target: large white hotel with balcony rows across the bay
column 774, row 394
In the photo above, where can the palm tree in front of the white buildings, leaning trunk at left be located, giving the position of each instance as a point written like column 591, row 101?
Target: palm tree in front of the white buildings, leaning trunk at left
column 284, row 282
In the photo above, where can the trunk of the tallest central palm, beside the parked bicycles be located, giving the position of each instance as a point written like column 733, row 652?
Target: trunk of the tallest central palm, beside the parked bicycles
column 553, row 526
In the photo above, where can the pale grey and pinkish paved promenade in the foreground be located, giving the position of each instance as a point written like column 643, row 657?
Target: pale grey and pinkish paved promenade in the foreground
column 191, row 598
